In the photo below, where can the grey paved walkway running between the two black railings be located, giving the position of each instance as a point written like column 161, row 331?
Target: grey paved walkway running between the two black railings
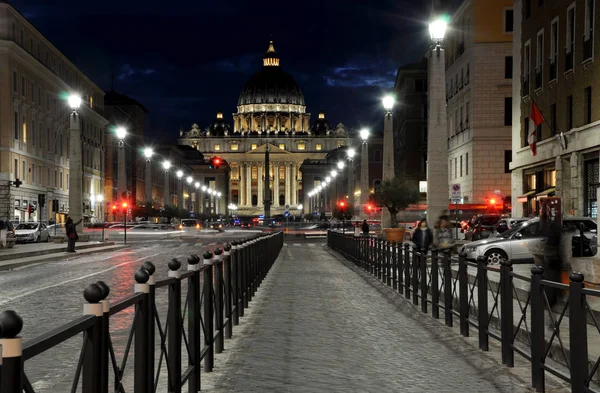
column 317, row 326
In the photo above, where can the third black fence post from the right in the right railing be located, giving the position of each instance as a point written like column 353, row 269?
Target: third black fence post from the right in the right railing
column 506, row 312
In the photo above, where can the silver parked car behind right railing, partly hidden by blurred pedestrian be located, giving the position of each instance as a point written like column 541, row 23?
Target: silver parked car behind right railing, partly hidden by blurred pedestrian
column 515, row 244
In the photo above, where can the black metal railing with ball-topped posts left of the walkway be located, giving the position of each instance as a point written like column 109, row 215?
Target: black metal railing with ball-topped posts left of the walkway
column 218, row 291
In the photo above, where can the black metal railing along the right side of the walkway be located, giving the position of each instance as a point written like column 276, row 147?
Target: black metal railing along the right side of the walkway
column 513, row 309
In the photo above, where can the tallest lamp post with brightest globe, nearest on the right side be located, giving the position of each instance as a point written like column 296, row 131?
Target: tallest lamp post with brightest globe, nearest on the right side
column 437, row 149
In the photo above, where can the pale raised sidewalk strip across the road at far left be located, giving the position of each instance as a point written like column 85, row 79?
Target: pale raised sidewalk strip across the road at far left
column 27, row 254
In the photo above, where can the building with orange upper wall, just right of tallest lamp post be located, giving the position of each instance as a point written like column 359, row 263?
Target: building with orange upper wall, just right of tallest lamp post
column 479, row 99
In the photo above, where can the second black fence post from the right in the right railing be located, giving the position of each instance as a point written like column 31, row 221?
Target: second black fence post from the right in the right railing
column 537, row 328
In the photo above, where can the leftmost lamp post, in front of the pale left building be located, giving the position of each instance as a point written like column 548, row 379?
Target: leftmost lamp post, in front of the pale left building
column 75, row 167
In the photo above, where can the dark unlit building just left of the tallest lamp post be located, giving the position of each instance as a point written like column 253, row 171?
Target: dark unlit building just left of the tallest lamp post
column 410, row 123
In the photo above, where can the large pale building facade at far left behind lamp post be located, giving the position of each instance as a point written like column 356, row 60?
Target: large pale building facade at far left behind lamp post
column 35, row 79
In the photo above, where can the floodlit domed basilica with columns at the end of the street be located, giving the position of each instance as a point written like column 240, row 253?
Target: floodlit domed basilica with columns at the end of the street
column 271, row 115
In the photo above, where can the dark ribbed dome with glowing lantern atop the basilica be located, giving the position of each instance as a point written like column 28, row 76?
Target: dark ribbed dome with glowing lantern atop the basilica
column 271, row 85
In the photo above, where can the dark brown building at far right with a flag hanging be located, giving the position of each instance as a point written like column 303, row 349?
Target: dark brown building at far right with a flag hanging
column 556, row 54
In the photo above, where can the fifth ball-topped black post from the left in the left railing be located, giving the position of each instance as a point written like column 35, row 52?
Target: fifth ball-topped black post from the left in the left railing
column 194, row 327
